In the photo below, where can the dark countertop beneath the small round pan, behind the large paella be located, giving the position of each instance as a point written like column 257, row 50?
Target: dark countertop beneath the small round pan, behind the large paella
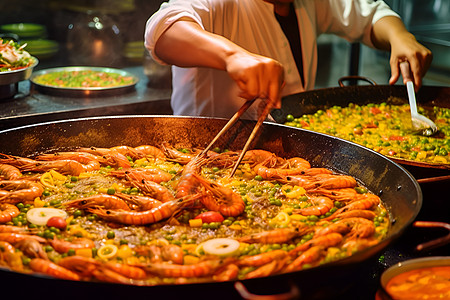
column 29, row 105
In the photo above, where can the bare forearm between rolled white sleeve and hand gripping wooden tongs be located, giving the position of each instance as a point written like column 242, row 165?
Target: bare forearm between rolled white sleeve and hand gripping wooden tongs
column 186, row 44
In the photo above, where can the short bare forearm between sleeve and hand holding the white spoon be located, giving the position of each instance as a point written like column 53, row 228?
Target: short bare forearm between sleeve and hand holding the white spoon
column 385, row 30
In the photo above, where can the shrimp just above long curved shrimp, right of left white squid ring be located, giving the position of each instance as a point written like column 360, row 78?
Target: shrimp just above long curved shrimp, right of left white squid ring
column 99, row 200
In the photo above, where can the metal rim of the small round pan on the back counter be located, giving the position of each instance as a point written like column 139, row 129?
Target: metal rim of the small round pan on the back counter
column 84, row 91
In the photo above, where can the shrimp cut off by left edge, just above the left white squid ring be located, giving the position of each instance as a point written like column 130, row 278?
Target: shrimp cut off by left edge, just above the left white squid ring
column 15, row 191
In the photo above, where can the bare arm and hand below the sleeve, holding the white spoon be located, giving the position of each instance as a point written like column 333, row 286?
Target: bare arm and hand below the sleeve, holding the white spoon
column 389, row 33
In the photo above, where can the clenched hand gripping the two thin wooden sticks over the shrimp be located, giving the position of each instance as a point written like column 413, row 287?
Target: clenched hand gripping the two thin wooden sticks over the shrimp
column 257, row 76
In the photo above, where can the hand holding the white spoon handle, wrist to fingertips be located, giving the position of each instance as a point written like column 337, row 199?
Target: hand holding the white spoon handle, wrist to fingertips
column 406, row 47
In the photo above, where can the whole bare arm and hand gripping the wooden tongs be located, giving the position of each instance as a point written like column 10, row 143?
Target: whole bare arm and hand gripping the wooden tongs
column 186, row 44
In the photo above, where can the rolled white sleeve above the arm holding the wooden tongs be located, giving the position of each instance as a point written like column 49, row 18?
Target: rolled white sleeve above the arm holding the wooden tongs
column 169, row 13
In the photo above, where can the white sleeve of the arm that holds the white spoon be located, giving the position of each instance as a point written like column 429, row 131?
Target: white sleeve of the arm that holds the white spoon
column 351, row 19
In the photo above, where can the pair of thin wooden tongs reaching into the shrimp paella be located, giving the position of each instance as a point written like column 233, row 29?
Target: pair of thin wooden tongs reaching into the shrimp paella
column 233, row 120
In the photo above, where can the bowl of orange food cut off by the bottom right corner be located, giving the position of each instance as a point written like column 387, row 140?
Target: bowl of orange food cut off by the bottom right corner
column 421, row 278
